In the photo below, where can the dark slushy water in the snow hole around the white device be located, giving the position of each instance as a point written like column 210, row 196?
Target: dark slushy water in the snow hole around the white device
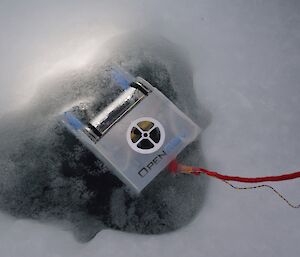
column 46, row 174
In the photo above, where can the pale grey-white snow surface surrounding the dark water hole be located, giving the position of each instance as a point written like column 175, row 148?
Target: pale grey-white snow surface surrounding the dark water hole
column 246, row 60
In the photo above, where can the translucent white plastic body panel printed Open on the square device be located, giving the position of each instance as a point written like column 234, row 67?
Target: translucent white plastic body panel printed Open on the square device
column 137, row 167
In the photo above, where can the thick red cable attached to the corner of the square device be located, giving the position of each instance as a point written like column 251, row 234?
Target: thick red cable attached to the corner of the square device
column 176, row 167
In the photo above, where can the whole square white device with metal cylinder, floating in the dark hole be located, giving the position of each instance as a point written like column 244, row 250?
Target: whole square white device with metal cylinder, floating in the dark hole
column 138, row 134
